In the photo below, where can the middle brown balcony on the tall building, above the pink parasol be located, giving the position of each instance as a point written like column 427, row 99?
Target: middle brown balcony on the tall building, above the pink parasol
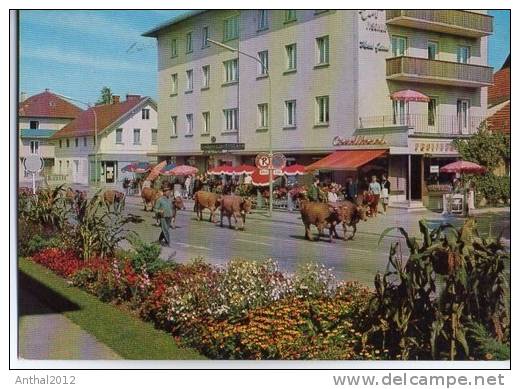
column 438, row 72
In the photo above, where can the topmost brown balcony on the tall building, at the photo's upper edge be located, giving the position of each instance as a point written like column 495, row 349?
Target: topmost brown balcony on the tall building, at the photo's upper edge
column 456, row 22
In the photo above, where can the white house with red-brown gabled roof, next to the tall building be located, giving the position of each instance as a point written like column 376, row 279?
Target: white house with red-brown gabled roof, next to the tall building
column 126, row 132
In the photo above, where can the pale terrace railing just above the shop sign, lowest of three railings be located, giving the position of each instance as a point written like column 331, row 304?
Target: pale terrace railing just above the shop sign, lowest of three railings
column 443, row 125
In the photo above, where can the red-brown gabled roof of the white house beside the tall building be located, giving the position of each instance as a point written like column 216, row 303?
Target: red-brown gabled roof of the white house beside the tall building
column 106, row 116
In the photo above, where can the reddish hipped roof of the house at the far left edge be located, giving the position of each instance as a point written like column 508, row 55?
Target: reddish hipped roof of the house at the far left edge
column 49, row 105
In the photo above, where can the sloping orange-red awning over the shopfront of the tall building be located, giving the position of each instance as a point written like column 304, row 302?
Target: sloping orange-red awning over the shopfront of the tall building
column 346, row 159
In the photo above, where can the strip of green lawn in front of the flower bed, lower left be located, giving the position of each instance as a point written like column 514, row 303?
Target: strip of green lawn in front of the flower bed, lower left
column 124, row 333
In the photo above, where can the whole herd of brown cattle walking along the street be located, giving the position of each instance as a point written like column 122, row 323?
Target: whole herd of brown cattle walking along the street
column 322, row 215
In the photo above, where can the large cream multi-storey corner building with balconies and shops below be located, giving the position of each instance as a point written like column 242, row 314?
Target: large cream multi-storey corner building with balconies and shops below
column 404, row 82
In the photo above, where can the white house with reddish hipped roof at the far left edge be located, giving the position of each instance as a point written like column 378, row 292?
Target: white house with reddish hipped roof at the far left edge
column 39, row 117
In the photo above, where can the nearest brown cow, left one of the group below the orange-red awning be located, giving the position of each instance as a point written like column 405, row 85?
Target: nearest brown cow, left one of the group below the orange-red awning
column 322, row 215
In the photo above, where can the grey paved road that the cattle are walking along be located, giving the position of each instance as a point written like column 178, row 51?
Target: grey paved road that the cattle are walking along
column 282, row 239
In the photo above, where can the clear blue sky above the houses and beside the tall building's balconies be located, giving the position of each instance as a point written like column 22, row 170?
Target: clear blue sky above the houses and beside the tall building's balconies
column 76, row 53
